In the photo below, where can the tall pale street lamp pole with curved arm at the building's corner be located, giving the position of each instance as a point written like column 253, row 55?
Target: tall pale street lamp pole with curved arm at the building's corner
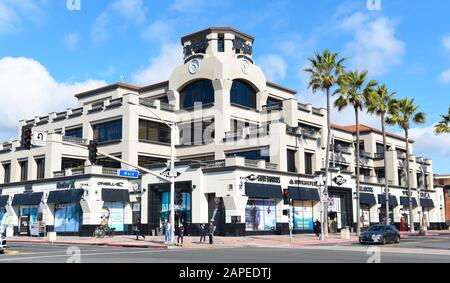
column 172, row 174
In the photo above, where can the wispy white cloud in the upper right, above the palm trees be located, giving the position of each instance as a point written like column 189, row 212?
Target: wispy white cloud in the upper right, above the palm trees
column 374, row 46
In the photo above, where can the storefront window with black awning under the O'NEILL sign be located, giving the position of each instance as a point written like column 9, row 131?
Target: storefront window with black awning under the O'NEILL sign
column 113, row 210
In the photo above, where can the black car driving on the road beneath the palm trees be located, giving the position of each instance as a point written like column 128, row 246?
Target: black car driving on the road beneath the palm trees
column 380, row 234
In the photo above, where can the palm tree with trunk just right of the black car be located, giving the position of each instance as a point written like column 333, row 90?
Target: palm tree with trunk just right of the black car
column 402, row 114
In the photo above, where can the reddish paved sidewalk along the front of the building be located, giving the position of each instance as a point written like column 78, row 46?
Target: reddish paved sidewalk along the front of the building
column 191, row 242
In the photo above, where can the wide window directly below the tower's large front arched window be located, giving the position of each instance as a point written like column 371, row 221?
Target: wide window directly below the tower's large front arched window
column 197, row 132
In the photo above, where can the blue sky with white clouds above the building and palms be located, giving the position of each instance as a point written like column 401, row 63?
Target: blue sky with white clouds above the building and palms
column 48, row 52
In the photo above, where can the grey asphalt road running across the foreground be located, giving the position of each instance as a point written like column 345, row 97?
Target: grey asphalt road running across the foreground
column 430, row 250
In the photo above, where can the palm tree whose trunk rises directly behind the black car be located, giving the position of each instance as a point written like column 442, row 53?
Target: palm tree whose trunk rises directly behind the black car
column 378, row 102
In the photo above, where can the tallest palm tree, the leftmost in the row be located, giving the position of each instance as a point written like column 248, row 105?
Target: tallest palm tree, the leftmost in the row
column 324, row 71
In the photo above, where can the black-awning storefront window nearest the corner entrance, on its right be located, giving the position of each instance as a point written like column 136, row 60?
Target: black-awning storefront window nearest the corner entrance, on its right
column 260, row 213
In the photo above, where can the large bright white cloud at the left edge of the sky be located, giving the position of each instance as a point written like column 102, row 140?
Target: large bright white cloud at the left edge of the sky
column 29, row 90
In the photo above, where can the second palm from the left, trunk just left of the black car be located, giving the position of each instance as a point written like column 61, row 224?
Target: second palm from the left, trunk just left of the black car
column 352, row 90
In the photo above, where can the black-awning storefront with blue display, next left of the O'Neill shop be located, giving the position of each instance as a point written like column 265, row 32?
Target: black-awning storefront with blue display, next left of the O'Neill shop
column 67, row 213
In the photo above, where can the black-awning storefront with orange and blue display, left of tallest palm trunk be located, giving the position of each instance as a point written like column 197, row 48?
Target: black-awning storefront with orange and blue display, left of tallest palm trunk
column 304, row 200
